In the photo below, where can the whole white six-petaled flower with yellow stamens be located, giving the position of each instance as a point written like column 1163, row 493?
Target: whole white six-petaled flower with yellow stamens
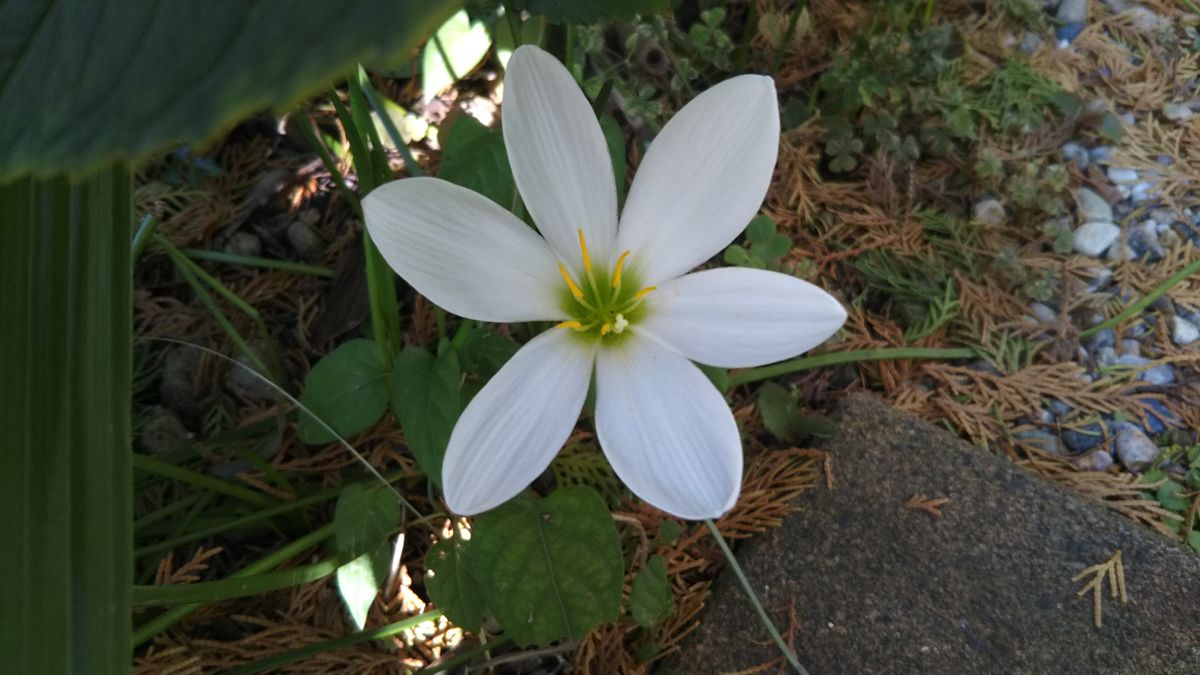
column 626, row 306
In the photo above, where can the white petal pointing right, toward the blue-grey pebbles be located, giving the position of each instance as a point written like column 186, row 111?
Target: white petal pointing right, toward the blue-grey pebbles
column 737, row 318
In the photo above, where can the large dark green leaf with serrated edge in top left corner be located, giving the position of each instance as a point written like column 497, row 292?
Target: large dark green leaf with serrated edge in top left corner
column 83, row 83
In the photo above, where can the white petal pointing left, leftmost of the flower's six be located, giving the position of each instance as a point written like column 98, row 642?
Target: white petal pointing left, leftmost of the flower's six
column 463, row 252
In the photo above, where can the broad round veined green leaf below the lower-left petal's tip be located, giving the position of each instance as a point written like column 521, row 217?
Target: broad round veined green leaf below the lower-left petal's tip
column 550, row 569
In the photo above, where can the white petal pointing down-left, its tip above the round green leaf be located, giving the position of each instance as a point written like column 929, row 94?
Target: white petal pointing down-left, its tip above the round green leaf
column 518, row 422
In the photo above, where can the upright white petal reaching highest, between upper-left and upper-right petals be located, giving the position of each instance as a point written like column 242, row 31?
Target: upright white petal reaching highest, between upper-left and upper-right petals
column 559, row 156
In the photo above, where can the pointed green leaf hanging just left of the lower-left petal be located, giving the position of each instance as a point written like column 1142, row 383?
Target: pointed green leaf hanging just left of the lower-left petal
column 427, row 399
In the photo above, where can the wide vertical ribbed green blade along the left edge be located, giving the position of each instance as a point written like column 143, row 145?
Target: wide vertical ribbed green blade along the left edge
column 65, row 479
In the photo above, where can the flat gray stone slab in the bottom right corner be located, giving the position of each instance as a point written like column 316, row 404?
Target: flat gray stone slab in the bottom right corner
column 987, row 588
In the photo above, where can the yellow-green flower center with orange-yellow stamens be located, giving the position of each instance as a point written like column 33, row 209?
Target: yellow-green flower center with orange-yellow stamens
column 602, row 306
